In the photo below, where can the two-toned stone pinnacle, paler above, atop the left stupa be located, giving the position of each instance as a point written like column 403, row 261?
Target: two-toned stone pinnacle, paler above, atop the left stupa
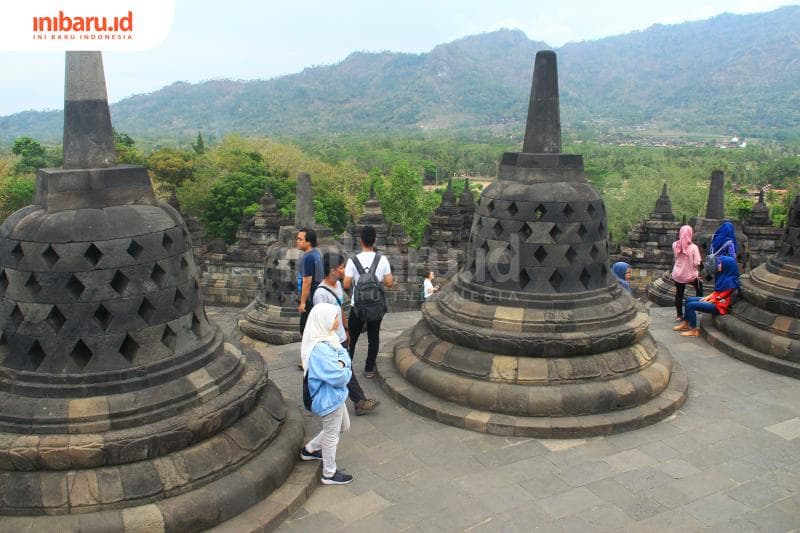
column 88, row 138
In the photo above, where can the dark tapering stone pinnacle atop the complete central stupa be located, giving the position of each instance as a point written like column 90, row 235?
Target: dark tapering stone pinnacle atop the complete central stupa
column 543, row 128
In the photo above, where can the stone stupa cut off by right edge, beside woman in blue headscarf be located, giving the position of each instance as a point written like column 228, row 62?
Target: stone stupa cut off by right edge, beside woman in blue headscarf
column 763, row 325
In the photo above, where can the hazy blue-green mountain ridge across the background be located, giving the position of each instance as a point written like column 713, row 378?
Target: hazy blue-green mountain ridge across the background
column 737, row 74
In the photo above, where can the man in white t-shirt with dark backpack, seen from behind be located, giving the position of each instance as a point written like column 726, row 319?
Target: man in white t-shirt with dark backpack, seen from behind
column 376, row 268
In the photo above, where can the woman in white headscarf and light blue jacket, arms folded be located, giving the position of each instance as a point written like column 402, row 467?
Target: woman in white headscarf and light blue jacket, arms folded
column 328, row 368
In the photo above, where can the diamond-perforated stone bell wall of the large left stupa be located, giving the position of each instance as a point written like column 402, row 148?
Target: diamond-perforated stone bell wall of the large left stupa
column 63, row 304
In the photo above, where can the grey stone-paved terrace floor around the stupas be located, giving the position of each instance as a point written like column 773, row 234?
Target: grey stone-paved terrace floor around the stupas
column 729, row 460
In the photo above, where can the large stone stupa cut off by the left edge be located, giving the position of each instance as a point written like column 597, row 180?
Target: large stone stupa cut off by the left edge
column 123, row 406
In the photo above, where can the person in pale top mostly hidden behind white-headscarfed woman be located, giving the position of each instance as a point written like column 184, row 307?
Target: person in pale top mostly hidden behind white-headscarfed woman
column 330, row 291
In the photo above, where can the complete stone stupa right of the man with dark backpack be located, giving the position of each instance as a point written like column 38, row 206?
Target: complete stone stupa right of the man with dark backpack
column 534, row 337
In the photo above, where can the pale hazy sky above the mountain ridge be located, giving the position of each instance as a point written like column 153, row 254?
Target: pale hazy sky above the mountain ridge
column 245, row 39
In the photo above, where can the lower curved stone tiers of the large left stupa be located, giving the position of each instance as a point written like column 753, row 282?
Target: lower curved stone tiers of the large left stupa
column 244, row 469
